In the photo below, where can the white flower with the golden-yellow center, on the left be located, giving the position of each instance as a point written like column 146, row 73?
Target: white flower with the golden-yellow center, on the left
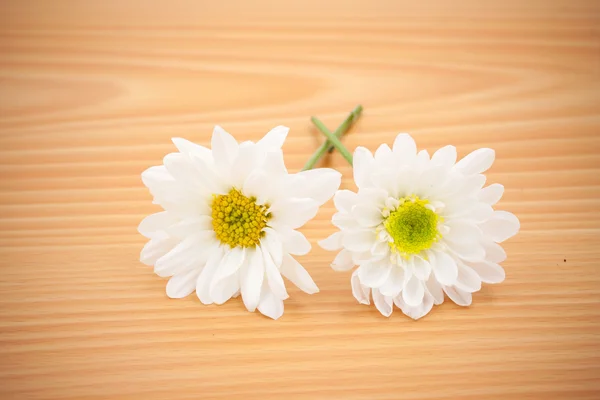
column 230, row 220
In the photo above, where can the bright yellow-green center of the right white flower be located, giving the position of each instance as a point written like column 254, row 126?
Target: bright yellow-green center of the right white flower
column 412, row 226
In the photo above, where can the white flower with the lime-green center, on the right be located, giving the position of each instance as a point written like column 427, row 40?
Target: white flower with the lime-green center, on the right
column 419, row 227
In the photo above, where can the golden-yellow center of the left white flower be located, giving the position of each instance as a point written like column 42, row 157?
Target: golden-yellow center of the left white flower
column 238, row 220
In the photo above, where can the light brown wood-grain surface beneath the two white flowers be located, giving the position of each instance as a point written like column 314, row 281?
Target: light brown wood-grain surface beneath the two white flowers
column 90, row 94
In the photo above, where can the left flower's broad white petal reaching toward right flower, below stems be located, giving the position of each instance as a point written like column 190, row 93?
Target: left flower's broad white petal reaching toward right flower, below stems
column 318, row 184
